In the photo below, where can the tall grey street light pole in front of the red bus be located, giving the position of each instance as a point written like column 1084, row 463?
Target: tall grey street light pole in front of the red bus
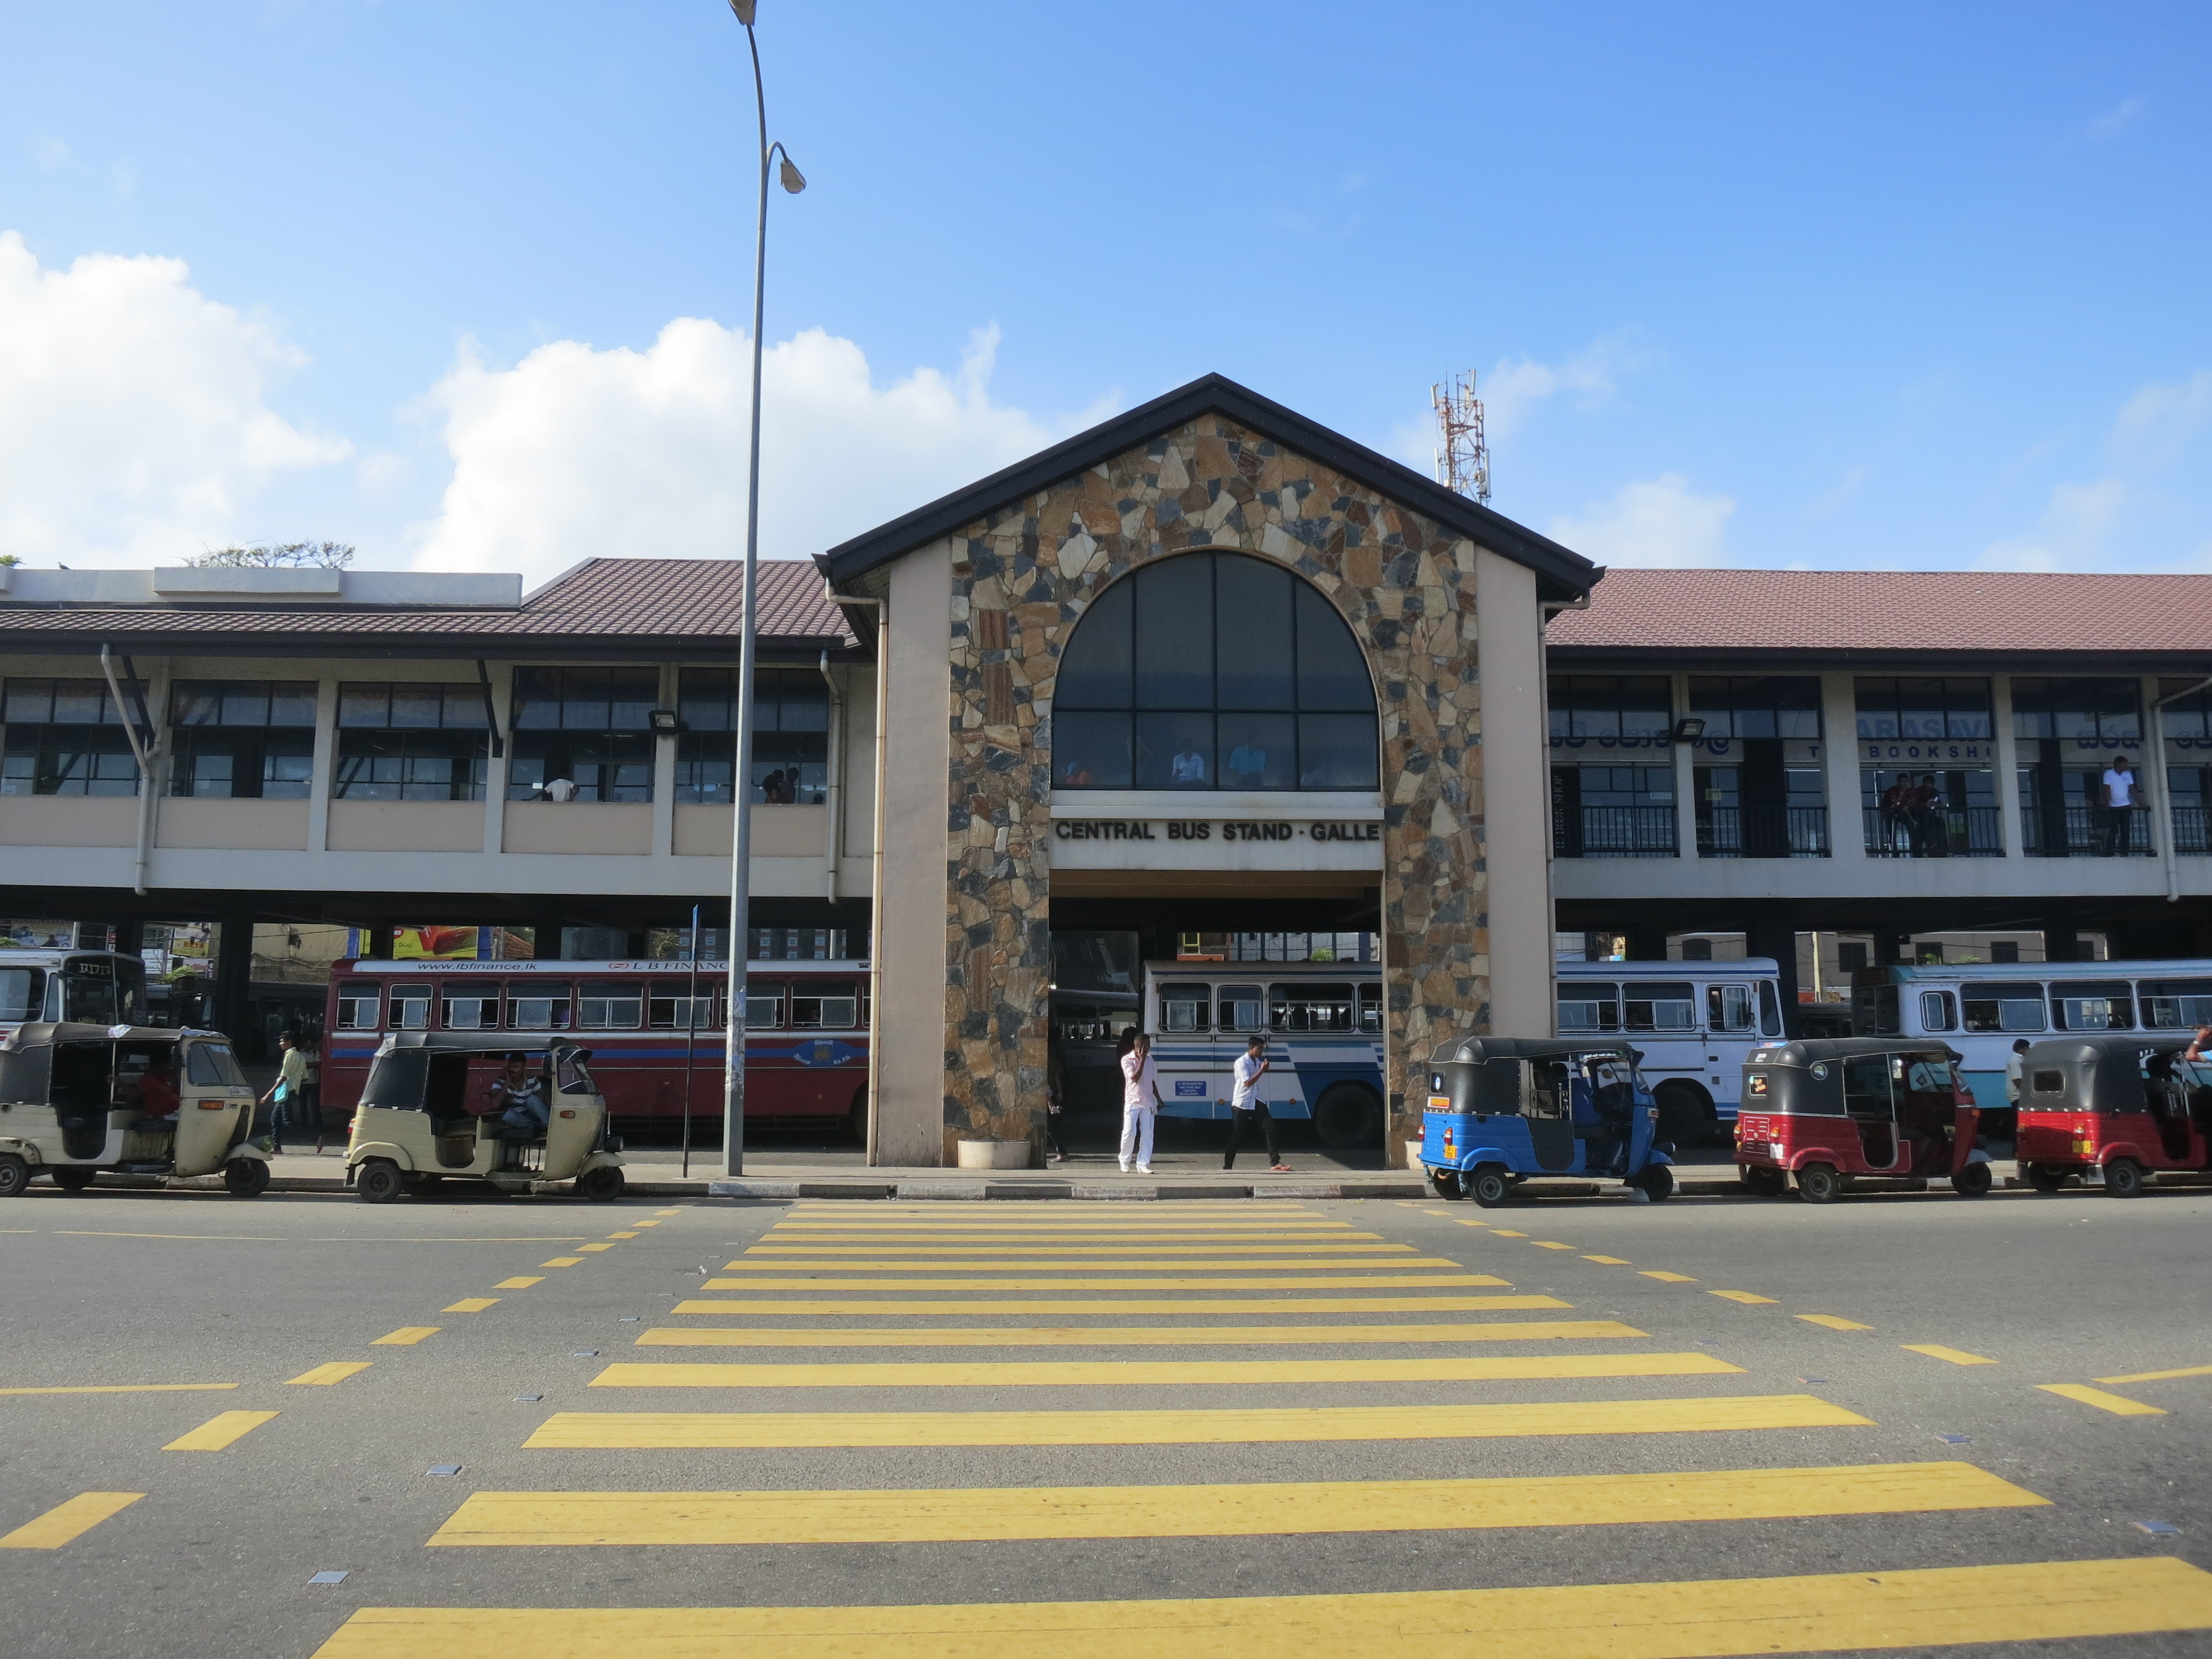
column 733, row 1089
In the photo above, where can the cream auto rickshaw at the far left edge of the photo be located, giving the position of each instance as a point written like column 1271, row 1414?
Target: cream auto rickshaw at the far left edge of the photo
column 129, row 1100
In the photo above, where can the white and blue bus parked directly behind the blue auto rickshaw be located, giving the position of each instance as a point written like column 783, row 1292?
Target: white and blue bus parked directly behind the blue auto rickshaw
column 1693, row 1025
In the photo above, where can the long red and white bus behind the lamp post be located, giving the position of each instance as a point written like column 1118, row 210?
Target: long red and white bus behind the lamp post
column 806, row 1030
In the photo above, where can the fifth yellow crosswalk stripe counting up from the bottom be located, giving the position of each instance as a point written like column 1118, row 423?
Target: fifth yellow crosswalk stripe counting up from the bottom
column 1530, row 1331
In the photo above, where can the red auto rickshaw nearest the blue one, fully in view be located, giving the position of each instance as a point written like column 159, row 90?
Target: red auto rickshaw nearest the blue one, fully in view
column 1868, row 1114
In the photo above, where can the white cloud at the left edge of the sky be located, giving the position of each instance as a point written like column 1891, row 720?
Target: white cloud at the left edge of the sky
column 134, row 413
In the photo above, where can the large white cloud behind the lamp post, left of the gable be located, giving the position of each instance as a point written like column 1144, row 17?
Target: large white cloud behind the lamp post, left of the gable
column 581, row 452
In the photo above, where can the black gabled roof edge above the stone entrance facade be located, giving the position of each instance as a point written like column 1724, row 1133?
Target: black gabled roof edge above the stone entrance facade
column 1569, row 574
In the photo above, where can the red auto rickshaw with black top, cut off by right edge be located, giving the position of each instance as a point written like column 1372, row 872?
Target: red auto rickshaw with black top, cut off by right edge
column 2114, row 1107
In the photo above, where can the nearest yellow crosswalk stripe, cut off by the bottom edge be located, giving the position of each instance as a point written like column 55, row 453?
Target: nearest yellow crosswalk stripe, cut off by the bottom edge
column 1813, row 1614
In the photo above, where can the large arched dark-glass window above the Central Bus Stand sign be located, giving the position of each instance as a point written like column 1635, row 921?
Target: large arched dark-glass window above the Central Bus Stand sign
column 1213, row 671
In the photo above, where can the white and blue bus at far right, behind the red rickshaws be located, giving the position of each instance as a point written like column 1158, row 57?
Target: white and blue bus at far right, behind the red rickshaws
column 1985, row 1008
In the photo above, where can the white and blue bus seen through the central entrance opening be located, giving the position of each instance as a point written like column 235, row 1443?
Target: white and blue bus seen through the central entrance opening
column 1324, row 1025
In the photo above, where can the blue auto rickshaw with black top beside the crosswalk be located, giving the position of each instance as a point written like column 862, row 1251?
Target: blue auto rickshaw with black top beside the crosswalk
column 1505, row 1112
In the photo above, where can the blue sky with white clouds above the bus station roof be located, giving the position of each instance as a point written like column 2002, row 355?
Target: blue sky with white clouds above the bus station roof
column 1835, row 286
